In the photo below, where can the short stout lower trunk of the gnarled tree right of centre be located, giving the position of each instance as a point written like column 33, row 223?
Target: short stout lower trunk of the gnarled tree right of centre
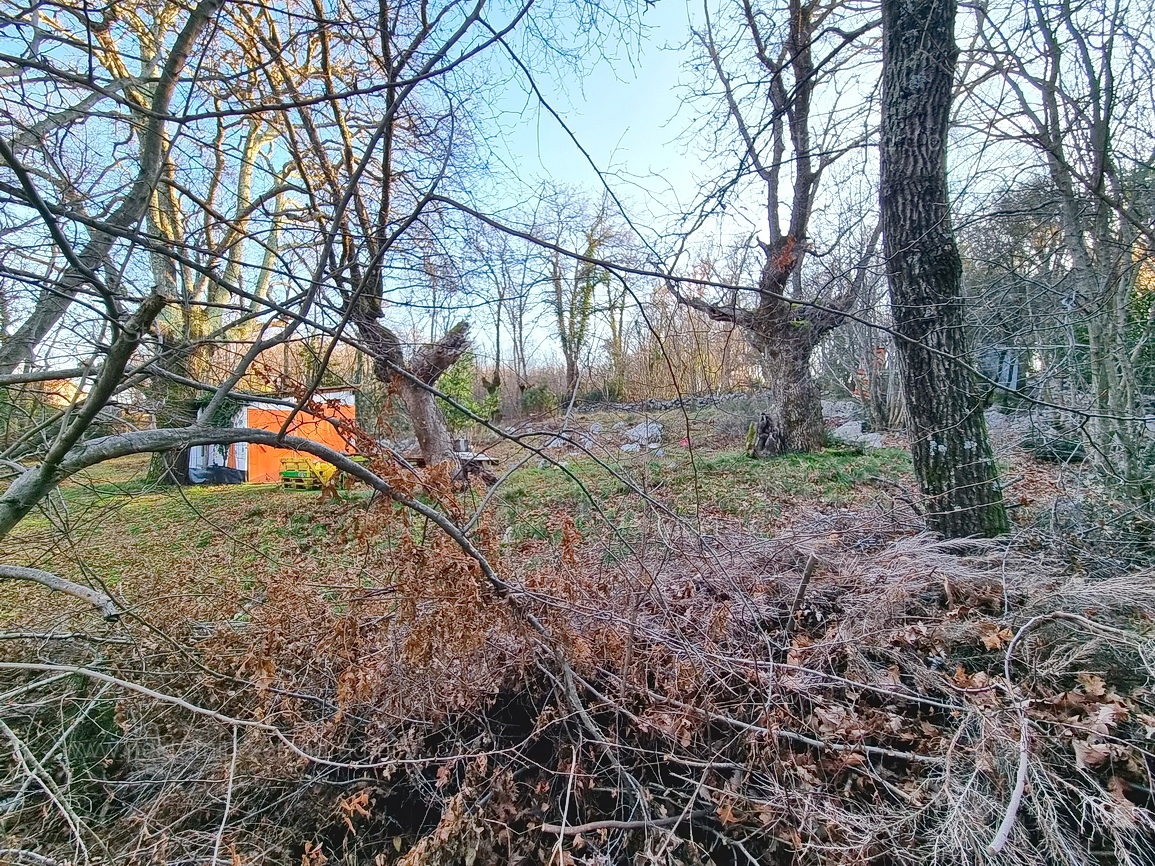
column 795, row 421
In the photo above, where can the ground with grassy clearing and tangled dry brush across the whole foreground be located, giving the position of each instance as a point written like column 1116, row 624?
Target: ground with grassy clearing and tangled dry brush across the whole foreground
column 336, row 682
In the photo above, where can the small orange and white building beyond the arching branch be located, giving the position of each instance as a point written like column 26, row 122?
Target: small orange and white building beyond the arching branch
column 260, row 464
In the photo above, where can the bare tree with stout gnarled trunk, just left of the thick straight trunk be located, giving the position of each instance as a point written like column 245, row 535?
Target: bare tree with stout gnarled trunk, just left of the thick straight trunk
column 770, row 101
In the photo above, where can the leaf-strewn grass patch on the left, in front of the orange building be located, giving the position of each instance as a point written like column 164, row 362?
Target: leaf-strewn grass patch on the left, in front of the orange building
column 221, row 543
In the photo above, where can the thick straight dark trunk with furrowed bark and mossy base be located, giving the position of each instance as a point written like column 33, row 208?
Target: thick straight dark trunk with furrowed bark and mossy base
column 950, row 445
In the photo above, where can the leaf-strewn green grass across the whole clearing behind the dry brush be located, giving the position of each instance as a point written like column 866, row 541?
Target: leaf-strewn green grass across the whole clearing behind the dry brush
column 129, row 534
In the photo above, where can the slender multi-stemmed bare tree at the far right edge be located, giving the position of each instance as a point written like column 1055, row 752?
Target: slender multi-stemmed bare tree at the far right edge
column 1075, row 98
